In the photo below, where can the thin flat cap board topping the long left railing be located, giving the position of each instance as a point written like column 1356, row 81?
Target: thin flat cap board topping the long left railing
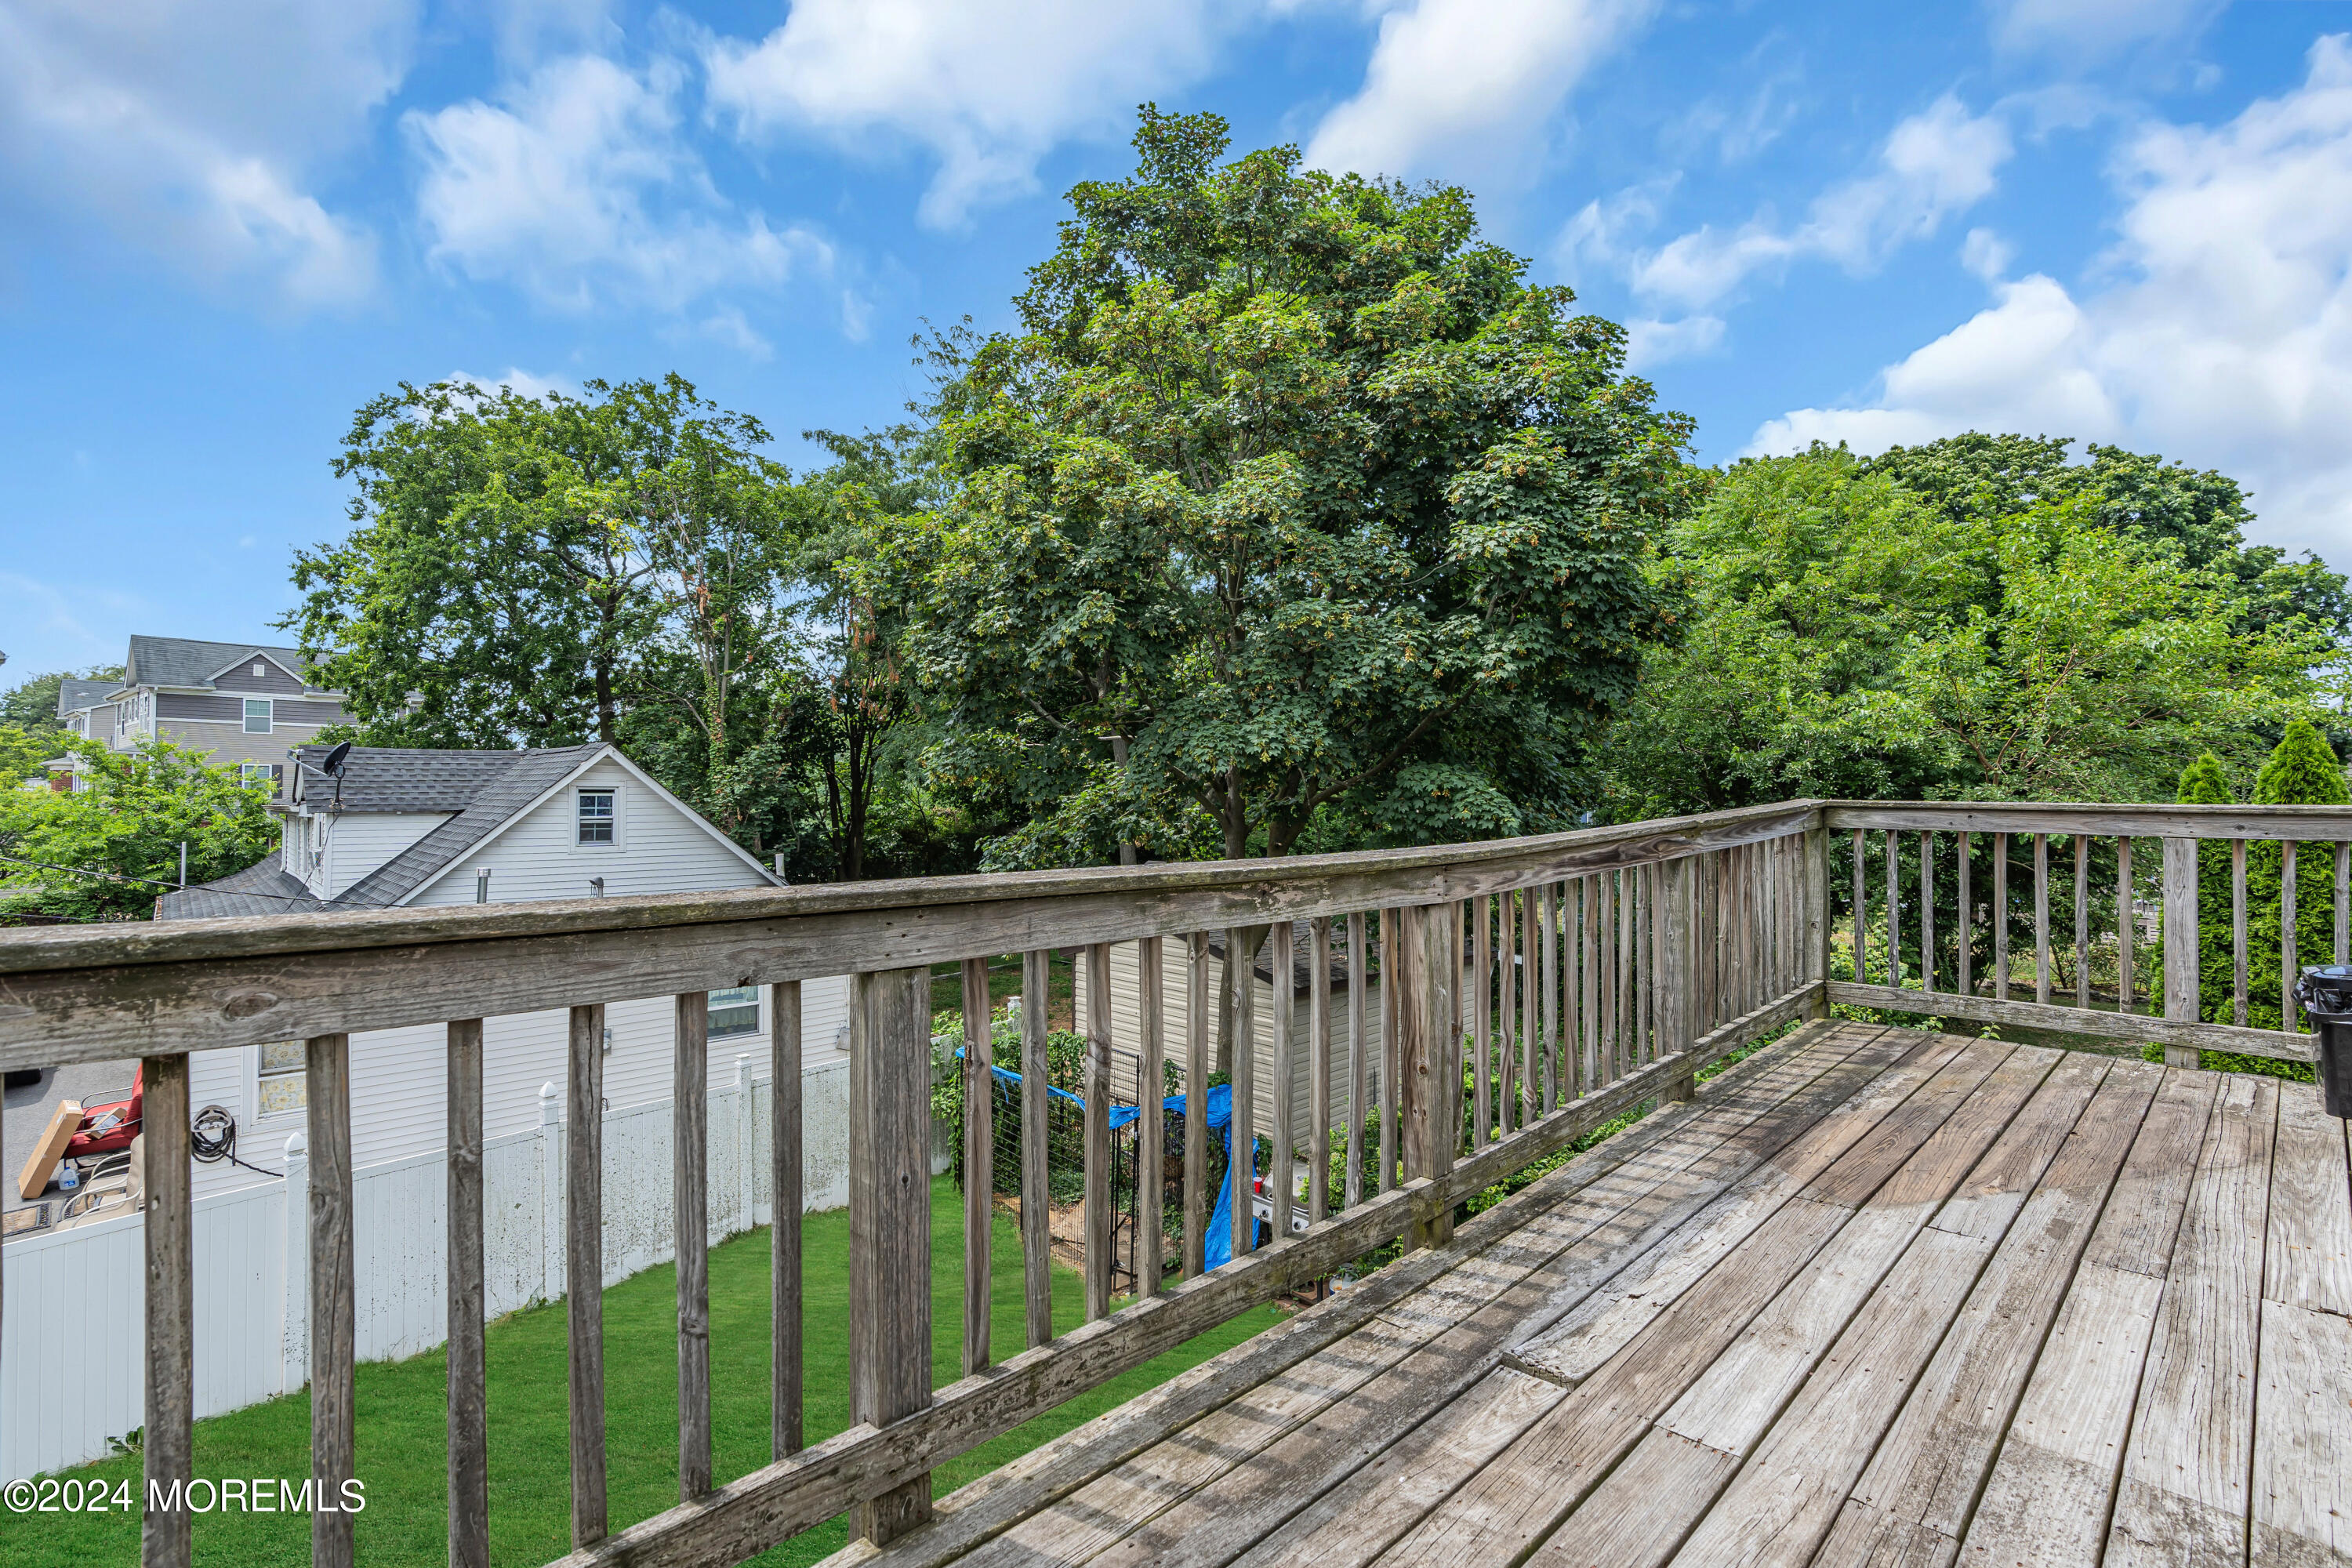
column 1377, row 871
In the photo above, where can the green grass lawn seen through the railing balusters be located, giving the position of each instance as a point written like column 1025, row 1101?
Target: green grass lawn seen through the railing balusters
column 401, row 1412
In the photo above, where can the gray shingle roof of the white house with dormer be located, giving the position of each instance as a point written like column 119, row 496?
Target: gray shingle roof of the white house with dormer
column 481, row 793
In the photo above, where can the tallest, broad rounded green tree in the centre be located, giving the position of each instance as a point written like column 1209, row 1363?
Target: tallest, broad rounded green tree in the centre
column 1292, row 514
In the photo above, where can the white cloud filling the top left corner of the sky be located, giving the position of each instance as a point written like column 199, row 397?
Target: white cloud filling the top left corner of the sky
column 194, row 130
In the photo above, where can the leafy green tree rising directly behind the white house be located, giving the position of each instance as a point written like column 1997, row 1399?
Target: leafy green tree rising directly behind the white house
column 526, row 570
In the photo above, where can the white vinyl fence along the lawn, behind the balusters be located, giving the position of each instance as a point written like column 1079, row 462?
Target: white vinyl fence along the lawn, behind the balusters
column 74, row 1313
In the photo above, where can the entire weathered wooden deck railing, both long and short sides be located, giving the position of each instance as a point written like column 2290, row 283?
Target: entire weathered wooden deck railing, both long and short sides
column 1530, row 991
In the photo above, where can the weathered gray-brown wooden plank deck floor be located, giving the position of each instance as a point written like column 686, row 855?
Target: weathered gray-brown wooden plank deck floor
column 1873, row 1299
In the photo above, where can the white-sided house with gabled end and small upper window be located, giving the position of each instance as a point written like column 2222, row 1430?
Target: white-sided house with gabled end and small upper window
column 483, row 826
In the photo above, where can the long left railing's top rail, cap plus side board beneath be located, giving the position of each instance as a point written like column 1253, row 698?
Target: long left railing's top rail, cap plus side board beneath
column 95, row 993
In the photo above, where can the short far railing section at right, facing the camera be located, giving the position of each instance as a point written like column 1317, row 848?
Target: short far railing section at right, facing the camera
column 1965, row 911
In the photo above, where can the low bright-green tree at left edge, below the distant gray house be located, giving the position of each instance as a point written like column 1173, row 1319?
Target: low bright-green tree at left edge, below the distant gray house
column 112, row 847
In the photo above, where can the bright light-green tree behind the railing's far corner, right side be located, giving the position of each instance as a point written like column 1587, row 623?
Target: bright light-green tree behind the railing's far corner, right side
column 1855, row 638
